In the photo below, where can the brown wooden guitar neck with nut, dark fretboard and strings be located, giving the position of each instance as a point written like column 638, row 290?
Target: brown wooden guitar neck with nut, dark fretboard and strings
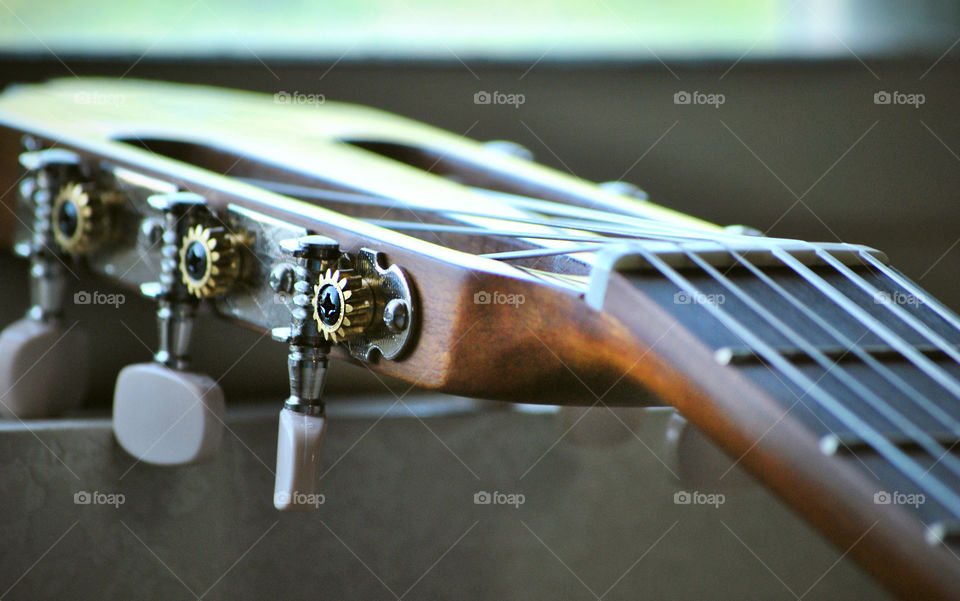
column 835, row 383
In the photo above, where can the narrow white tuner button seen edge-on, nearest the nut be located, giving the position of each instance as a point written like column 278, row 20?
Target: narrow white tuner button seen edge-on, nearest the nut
column 298, row 460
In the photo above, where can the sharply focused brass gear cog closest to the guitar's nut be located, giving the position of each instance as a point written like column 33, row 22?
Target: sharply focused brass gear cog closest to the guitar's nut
column 342, row 305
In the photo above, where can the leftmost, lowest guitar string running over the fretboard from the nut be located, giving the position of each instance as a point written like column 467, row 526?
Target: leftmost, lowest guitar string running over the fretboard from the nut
column 895, row 456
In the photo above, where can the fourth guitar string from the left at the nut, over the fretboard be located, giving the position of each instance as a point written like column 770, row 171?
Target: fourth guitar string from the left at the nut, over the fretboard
column 902, row 346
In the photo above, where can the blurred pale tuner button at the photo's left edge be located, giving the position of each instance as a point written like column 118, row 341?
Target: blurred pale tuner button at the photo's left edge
column 43, row 368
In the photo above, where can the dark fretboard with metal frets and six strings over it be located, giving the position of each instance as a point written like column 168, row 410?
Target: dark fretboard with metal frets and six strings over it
column 860, row 355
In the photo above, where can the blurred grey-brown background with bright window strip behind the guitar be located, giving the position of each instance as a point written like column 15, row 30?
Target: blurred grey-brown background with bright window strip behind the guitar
column 815, row 119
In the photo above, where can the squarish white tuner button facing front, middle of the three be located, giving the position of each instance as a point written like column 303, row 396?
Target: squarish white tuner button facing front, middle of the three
column 167, row 417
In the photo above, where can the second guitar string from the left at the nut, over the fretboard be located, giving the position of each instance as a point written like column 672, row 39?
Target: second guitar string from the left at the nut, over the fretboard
column 887, row 411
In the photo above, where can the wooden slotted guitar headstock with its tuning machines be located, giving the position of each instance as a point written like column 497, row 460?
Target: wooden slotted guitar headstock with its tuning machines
column 343, row 232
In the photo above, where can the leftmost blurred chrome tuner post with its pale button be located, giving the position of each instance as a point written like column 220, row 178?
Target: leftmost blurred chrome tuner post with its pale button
column 38, row 351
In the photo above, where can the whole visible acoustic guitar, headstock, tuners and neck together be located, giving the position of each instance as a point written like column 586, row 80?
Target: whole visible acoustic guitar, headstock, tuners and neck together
column 353, row 234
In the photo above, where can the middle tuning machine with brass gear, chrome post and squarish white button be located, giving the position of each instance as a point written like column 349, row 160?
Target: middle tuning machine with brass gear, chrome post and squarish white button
column 163, row 413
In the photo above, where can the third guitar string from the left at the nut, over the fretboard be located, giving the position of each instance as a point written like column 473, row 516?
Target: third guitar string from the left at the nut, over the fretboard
column 920, row 400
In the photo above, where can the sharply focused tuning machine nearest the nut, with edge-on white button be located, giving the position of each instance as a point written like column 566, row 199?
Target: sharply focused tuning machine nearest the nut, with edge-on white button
column 337, row 299
